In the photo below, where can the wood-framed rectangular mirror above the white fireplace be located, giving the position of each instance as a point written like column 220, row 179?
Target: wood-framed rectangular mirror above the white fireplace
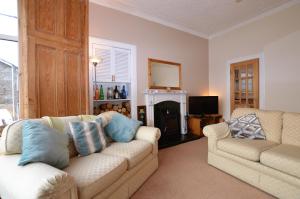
column 164, row 74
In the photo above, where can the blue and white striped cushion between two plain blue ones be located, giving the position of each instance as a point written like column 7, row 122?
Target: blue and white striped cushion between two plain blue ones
column 88, row 136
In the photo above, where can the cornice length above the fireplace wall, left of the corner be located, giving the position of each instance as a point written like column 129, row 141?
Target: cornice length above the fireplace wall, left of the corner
column 153, row 19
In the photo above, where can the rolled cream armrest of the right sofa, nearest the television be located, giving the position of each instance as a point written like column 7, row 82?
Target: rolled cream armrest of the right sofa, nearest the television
column 214, row 133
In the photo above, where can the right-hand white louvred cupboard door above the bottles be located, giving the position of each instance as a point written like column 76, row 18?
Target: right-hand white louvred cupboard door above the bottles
column 122, row 65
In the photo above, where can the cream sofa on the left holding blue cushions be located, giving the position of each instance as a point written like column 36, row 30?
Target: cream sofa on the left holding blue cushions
column 117, row 172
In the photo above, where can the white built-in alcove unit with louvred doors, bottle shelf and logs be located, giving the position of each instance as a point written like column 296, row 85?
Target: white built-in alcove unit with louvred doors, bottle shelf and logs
column 116, row 68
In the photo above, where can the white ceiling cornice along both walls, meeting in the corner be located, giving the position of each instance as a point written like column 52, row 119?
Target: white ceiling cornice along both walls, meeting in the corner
column 191, row 31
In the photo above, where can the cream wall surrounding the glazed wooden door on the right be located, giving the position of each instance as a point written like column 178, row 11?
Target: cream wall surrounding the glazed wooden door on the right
column 276, row 38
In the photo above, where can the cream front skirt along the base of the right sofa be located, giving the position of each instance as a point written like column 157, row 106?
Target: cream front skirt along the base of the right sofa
column 260, row 176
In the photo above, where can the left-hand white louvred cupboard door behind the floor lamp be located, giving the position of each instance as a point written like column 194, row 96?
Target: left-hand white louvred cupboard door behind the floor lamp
column 103, row 69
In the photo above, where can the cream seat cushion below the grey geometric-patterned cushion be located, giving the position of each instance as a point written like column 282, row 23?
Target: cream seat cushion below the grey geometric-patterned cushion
column 245, row 148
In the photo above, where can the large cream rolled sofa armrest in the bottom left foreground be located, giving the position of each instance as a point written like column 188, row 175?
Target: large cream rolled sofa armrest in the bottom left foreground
column 36, row 180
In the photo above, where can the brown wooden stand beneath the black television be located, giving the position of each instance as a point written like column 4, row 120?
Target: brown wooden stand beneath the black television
column 197, row 123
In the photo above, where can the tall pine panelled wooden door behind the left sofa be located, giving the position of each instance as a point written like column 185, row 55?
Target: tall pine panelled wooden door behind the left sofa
column 53, row 57
